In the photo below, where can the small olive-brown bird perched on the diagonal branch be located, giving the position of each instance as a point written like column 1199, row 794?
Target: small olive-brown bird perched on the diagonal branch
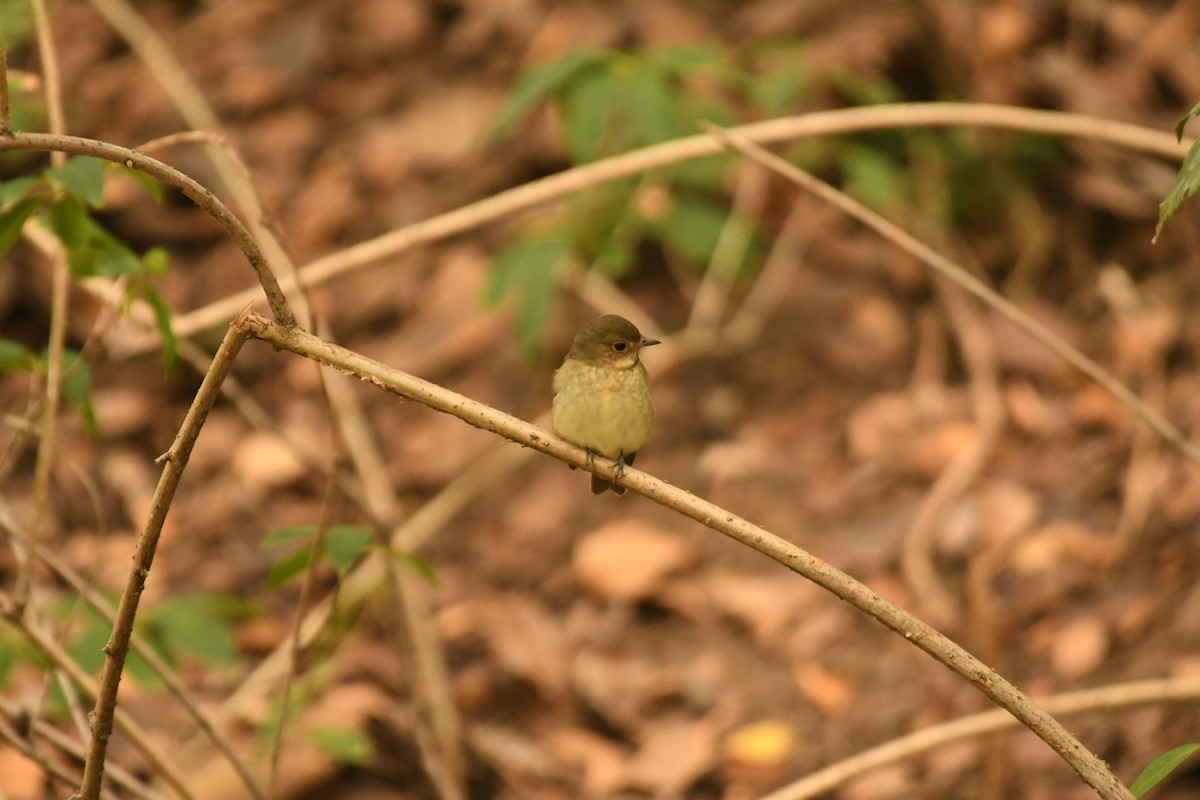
column 603, row 395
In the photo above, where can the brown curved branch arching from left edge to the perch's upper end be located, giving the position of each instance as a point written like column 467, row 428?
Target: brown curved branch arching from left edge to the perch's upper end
column 176, row 179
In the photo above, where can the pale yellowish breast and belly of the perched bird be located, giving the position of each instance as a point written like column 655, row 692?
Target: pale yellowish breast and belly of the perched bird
column 607, row 411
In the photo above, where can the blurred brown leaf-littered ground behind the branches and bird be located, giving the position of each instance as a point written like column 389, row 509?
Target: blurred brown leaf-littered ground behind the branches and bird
column 815, row 380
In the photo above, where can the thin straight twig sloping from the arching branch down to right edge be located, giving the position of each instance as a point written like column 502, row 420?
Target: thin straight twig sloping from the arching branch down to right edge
column 967, row 281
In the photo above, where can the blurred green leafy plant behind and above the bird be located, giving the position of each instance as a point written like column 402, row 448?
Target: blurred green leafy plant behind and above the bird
column 610, row 103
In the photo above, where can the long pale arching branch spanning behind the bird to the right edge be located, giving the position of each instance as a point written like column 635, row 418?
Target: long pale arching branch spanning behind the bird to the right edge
column 789, row 129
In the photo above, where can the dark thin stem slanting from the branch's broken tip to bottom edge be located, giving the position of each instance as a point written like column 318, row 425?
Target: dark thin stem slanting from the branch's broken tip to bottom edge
column 143, row 557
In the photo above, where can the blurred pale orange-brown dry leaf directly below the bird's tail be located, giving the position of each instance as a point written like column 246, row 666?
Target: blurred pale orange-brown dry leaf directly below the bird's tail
column 629, row 560
